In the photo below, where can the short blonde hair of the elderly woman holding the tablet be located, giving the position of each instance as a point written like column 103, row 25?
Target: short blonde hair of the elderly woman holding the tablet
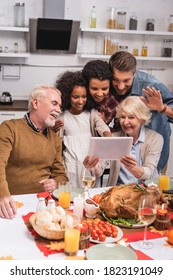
column 133, row 105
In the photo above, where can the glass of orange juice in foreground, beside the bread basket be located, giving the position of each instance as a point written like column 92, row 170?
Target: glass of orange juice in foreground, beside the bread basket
column 72, row 237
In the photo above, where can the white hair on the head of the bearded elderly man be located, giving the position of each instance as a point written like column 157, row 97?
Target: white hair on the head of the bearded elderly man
column 38, row 92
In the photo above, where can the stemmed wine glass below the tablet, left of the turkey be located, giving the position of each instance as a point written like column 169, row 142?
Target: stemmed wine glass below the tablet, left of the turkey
column 88, row 178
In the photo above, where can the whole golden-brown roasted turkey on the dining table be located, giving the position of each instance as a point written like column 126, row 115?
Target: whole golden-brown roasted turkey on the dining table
column 122, row 201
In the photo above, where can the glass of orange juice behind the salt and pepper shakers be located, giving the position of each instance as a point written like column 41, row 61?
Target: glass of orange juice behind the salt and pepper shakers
column 64, row 194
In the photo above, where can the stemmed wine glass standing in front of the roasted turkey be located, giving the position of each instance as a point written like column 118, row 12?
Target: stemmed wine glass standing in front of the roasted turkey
column 147, row 211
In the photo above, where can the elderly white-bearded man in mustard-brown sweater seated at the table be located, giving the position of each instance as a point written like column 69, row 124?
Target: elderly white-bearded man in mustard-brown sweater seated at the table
column 30, row 151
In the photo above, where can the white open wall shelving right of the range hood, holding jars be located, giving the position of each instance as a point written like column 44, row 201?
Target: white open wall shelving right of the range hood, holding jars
column 132, row 38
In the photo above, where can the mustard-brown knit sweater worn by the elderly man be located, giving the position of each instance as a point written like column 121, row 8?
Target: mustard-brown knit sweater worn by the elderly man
column 26, row 157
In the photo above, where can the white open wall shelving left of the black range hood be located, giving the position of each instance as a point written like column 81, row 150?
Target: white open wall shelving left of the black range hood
column 11, row 35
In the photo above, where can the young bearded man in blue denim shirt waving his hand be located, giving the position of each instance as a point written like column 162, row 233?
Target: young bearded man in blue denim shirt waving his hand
column 127, row 80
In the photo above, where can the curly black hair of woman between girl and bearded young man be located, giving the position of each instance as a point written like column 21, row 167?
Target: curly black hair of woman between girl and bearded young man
column 97, row 69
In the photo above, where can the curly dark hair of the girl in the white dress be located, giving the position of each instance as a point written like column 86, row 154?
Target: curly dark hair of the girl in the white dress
column 66, row 83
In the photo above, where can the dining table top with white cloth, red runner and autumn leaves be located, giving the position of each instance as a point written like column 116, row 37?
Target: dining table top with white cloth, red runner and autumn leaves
column 20, row 242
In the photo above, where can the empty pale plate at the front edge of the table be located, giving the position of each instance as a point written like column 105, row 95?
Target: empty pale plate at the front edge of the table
column 110, row 252
